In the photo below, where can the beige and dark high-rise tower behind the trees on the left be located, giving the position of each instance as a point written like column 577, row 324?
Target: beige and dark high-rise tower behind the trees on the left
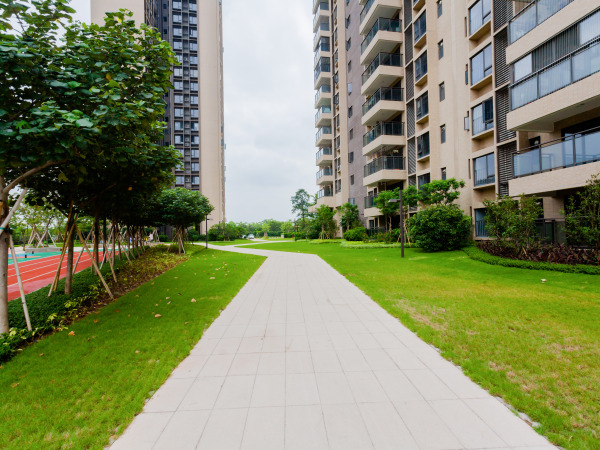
column 194, row 108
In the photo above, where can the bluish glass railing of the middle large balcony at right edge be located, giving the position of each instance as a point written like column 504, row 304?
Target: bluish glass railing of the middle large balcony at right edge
column 567, row 70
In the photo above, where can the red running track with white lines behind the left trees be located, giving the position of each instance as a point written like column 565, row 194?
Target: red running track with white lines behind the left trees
column 39, row 273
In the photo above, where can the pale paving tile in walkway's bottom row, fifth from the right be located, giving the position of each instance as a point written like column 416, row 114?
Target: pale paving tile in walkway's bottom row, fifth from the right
column 346, row 428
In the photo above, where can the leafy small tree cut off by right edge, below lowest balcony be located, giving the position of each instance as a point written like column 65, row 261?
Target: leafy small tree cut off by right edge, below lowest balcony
column 582, row 215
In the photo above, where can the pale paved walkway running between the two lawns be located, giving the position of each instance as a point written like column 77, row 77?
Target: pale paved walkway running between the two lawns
column 302, row 359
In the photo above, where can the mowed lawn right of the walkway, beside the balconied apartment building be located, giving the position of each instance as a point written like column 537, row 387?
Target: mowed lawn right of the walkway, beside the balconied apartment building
column 535, row 344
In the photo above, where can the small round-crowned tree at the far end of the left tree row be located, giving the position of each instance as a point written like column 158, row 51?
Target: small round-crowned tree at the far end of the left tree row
column 182, row 209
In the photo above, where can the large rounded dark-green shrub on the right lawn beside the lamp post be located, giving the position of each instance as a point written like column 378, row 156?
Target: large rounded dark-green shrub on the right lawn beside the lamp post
column 441, row 227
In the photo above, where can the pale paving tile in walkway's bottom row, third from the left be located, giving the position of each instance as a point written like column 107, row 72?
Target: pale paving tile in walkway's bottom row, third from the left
column 224, row 429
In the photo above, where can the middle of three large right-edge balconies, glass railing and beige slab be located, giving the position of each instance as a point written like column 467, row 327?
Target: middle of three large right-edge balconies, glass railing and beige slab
column 566, row 88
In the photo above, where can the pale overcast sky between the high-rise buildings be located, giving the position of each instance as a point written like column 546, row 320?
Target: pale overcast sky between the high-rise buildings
column 269, row 112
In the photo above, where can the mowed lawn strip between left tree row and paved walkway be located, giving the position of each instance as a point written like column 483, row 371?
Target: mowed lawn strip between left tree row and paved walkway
column 79, row 391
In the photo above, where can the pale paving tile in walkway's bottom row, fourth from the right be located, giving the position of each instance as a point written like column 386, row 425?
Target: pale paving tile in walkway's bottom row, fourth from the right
column 386, row 428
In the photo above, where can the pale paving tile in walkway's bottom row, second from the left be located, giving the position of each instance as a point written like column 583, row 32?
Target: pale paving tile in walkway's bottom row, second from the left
column 183, row 431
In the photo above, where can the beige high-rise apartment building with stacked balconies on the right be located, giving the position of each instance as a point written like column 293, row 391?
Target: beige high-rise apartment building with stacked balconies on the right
column 502, row 94
